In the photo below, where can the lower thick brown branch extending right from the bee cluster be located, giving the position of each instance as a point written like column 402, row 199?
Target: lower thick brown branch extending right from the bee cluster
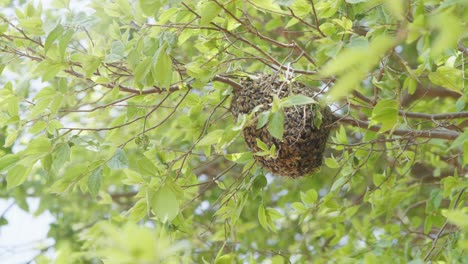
column 449, row 135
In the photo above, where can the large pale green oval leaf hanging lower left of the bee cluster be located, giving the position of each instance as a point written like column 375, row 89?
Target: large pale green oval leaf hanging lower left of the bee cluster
column 165, row 204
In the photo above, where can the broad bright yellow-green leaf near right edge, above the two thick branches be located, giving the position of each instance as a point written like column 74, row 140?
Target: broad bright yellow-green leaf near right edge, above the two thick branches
column 448, row 77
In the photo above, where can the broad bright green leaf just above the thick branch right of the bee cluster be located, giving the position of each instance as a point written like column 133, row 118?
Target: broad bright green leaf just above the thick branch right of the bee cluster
column 386, row 113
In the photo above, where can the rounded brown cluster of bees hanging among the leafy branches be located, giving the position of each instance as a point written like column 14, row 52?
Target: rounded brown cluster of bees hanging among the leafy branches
column 301, row 150
